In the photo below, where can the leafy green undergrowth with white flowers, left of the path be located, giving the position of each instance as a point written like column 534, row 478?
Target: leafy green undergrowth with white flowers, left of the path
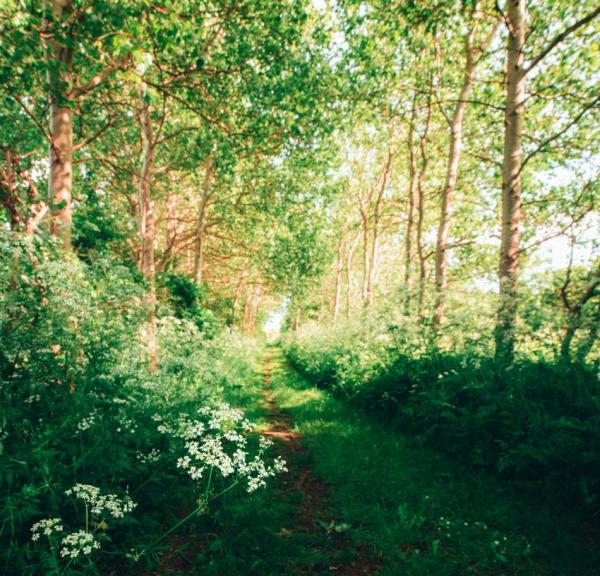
column 97, row 453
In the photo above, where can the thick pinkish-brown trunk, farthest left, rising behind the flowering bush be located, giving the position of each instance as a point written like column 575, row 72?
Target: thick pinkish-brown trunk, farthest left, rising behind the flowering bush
column 60, row 180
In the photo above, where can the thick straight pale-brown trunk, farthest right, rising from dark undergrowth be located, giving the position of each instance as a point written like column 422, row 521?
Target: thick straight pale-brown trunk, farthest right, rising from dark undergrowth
column 511, row 182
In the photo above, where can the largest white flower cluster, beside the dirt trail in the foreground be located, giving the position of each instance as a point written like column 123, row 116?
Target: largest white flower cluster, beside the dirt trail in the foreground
column 218, row 441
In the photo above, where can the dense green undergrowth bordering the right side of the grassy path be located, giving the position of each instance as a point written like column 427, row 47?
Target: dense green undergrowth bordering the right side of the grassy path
column 537, row 423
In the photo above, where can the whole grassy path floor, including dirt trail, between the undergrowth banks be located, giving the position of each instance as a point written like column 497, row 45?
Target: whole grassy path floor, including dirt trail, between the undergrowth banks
column 362, row 499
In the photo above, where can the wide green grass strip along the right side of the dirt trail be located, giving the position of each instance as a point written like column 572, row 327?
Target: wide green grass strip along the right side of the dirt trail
column 419, row 512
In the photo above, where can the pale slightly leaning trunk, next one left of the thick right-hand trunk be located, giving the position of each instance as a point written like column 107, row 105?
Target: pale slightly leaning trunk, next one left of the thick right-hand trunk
column 454, row 154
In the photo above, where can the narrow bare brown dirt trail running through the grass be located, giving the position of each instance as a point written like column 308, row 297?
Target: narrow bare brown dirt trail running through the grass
column 301, row 479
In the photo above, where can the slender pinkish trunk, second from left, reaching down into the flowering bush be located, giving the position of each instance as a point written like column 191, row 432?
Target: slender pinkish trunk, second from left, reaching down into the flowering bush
column 148, row 225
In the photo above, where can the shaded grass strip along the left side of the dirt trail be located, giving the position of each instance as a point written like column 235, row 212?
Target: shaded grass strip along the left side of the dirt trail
column 256, row 535
